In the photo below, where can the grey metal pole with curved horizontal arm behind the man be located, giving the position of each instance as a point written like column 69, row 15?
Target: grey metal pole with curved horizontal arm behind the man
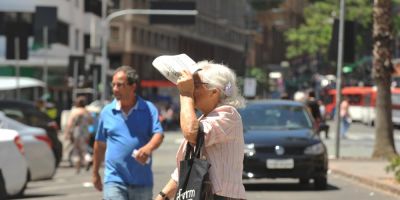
column 106, row 22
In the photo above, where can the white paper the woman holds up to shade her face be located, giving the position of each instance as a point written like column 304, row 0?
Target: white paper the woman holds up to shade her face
column 171, row 66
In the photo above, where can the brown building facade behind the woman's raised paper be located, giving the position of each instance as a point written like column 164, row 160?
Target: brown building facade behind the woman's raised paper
column 219, row 34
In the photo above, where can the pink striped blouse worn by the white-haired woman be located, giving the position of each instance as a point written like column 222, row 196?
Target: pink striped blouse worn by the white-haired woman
column 224, row 150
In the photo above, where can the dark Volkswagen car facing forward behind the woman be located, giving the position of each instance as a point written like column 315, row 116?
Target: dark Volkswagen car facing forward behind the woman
column 282, row 142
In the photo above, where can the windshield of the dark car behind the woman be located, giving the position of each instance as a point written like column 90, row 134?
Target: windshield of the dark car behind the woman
column 275, row 117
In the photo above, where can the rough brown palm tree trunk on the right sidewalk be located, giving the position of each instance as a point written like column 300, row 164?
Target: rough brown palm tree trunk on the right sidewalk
column 381, row 73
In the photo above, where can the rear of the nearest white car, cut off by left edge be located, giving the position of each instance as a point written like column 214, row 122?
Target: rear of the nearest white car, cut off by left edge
column 13, row 165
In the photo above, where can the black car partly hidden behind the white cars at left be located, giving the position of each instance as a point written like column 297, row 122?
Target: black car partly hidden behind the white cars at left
column 26, row 113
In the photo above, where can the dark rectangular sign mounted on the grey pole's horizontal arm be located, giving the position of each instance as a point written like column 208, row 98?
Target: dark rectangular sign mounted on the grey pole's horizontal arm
column 172, row 19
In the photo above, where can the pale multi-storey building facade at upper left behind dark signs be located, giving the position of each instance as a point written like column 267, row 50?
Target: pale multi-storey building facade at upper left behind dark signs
column 77, row 29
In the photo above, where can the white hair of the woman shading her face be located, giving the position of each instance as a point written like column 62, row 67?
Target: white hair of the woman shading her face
column 218, row 76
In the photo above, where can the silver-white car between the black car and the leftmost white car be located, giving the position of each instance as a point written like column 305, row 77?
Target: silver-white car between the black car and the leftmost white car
column 38, row 151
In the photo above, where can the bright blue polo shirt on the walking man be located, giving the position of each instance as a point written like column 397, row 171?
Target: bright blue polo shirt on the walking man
column 124, row 133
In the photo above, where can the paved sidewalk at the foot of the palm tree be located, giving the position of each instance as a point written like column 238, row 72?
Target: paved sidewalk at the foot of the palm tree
column 366, row 171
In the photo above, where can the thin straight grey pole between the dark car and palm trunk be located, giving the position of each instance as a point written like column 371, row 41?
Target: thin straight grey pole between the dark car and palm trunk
column 339, row 77
